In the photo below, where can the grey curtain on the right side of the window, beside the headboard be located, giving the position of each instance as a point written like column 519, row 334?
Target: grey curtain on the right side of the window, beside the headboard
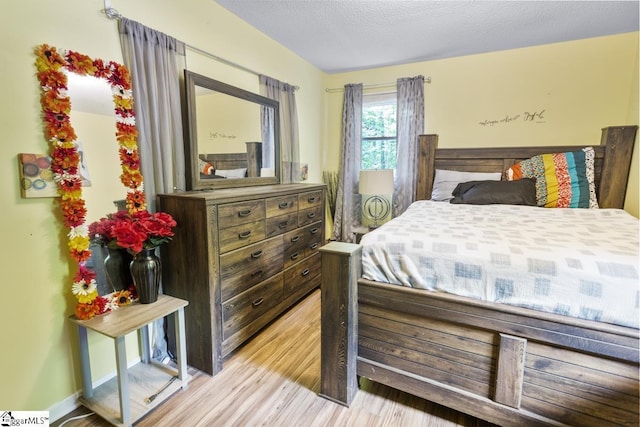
column 410, row 124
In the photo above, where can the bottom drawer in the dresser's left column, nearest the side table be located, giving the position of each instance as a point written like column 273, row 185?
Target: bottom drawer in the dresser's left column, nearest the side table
column 251, row 304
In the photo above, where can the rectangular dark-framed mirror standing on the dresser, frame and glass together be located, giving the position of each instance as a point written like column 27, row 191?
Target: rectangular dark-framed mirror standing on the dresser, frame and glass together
column 232, row 136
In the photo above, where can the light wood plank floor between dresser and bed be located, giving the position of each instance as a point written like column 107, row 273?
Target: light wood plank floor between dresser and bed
column 274, row 380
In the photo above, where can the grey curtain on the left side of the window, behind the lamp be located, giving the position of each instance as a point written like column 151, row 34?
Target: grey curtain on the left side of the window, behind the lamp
column 348, row 200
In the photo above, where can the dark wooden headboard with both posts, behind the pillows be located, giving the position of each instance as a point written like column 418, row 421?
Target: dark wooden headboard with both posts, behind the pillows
column 612, row 162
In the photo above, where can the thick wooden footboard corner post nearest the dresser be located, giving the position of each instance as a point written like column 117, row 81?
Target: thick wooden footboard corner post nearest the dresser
column 341, row 266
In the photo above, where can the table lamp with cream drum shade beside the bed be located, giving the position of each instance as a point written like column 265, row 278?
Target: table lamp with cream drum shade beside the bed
column 376, row 187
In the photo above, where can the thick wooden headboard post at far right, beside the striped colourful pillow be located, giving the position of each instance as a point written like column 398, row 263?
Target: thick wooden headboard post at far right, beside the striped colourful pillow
column 618, row 142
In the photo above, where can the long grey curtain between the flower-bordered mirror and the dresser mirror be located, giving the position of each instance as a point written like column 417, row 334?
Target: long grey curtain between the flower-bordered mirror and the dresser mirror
column 152, row 58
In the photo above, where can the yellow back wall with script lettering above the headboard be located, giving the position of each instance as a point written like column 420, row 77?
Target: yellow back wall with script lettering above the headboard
column 580, row 86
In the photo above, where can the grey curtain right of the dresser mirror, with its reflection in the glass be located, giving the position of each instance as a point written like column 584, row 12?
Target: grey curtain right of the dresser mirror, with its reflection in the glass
column 289, row 140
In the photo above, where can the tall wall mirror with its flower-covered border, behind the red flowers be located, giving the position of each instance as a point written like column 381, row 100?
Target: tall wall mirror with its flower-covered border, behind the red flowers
column 94, row 159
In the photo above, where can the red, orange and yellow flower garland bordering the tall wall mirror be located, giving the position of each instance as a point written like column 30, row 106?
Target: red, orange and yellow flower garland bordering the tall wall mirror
column 65, row 159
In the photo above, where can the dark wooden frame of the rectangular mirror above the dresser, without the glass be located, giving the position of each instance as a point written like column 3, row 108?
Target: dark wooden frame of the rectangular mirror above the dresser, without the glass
column 191, row 134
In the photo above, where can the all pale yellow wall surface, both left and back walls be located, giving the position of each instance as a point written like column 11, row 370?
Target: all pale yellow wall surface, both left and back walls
column 582, row 86
